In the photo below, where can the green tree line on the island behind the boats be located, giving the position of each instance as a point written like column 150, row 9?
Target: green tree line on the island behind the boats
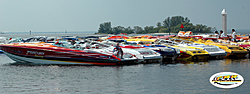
column 169, row 25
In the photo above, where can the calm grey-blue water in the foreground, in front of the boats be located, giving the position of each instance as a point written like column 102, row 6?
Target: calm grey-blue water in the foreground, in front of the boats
column 169, row 77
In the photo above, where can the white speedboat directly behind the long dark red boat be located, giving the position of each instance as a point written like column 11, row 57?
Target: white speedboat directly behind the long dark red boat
column 129, row 56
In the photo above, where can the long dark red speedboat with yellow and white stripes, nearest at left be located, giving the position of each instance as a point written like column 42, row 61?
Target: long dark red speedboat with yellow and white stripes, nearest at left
column 45, row 53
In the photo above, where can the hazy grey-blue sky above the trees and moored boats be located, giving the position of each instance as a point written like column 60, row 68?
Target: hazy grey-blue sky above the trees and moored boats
column 87, row 15
